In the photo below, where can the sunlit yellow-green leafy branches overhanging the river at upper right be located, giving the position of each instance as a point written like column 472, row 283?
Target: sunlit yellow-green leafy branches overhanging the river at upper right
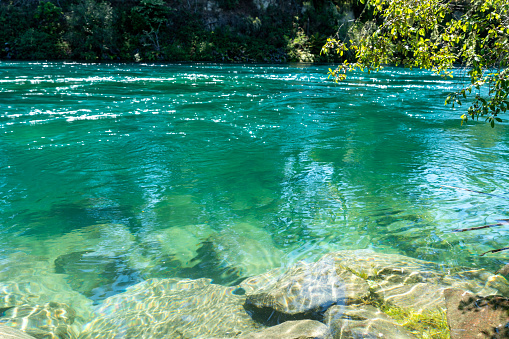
column 437, row 35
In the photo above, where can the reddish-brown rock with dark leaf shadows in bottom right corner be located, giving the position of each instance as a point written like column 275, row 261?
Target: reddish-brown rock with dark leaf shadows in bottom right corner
column 471, row 317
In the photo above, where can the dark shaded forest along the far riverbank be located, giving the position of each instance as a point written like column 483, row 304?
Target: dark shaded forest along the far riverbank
column 171, row 30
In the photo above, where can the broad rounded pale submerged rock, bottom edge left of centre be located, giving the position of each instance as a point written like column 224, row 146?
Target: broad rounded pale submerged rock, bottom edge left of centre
column 170, row 308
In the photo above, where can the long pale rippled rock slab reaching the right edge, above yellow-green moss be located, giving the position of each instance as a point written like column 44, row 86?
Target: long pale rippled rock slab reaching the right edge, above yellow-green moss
column 412, row 283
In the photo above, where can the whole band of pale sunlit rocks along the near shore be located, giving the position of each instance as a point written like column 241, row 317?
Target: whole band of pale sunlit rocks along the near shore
column 345, row 294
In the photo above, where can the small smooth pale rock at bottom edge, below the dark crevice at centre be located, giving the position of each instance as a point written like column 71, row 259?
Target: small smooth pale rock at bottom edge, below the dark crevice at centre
column 299, row 329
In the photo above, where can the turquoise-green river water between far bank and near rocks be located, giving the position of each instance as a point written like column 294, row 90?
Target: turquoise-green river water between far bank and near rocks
column 112, row 174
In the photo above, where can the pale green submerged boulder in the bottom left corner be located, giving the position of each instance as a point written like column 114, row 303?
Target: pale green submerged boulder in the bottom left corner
column 39, row 302
